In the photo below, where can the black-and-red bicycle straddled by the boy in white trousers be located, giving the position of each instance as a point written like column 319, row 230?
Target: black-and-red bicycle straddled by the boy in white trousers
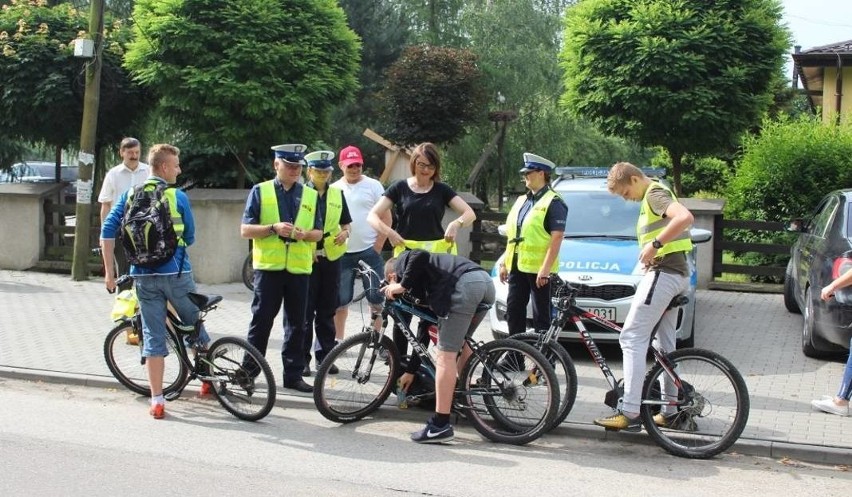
column 708, row 394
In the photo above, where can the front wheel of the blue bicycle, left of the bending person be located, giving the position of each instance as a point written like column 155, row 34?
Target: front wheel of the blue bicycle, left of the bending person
column 364, row 379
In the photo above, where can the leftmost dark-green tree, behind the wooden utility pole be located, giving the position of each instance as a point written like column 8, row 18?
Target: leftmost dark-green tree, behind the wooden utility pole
column 41, row 82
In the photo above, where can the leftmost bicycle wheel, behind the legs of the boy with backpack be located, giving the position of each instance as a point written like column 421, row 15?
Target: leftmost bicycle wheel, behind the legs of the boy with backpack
column 124, row 360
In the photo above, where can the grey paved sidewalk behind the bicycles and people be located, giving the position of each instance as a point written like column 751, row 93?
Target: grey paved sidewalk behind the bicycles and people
column 52, row 329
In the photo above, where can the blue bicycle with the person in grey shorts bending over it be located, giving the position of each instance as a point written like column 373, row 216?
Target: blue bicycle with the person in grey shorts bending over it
column 507, row 389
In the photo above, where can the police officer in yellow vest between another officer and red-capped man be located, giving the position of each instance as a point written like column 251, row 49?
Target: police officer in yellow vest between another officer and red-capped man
column 325, row 276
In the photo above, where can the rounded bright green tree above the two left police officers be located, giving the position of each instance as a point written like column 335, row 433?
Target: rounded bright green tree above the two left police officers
column 245, row 74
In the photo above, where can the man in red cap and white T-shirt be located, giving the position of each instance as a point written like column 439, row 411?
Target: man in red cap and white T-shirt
column 361, row 193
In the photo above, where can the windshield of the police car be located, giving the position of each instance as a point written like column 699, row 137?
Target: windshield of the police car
column 599, row 214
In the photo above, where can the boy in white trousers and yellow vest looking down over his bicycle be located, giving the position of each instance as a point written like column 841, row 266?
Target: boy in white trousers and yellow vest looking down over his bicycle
column 662, row 231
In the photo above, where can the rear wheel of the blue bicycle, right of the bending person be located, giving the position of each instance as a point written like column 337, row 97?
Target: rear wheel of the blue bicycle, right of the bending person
column 512, row 395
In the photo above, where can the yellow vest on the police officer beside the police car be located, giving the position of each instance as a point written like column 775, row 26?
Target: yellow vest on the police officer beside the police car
column 530, row 247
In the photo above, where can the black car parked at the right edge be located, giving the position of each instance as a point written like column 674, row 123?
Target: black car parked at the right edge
column 822, row 253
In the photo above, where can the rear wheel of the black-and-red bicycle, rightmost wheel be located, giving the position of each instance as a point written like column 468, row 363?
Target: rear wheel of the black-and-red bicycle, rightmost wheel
column 712, row 404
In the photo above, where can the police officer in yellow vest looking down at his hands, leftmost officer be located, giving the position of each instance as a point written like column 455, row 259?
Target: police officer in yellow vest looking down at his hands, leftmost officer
column 281, row 217
